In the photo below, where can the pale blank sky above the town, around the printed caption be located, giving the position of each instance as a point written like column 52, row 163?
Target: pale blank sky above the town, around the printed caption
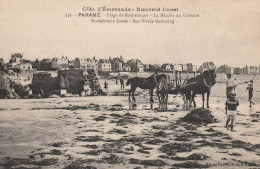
column 226, row 32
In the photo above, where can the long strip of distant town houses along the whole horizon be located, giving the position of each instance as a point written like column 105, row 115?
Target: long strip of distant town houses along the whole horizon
column 19, row 64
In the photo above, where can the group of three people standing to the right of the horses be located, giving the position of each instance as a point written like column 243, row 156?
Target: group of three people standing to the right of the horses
column 232, row 103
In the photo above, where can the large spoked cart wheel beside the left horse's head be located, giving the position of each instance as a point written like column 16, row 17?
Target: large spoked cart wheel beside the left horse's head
column 162, row 93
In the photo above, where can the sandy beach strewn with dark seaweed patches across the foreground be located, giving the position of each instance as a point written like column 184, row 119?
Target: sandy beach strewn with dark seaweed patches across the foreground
column 102, row 132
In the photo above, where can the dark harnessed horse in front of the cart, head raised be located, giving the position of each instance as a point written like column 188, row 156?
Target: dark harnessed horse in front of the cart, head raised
column 200, row 84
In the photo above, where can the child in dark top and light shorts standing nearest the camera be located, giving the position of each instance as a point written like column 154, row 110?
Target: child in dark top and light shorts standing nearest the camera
column 231, row 108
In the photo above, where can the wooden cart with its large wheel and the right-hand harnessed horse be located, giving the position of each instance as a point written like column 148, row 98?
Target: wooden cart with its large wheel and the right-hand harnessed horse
column 200, row 84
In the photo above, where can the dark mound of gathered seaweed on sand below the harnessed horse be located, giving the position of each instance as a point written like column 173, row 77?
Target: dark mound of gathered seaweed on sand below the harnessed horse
column 199, row 116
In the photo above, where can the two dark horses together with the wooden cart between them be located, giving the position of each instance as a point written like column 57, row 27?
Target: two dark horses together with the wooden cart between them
column 200, row 84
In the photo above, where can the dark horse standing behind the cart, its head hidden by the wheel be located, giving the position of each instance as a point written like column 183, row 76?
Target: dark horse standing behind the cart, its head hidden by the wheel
column 144, row 83
